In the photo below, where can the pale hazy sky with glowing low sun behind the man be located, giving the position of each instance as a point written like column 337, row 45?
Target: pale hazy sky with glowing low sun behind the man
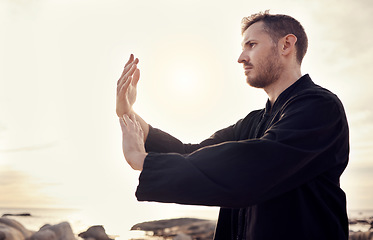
column 60, row 140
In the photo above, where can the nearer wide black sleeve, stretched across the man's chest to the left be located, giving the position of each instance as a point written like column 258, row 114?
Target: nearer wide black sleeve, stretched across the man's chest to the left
column 309, row 138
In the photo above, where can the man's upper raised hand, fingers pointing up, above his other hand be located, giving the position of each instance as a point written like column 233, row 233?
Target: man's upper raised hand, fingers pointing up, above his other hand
column 126, row 87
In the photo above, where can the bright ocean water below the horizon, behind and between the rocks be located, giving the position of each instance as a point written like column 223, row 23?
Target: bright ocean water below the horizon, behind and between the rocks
column 80, row 221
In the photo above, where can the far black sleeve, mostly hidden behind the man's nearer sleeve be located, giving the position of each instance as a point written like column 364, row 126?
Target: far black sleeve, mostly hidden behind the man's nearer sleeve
column 161, row 142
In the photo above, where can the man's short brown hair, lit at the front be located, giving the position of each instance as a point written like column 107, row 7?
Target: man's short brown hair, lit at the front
column 278, row 26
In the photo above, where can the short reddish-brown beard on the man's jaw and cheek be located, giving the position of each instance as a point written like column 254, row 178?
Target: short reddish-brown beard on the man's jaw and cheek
column 268, row 70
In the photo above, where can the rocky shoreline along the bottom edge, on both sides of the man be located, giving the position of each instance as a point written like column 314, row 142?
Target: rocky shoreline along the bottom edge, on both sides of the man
column 170, row 229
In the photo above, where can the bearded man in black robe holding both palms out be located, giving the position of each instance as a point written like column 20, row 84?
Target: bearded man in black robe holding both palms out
column 275, row 173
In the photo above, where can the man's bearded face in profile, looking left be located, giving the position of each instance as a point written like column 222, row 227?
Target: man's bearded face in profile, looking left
column 260, row 57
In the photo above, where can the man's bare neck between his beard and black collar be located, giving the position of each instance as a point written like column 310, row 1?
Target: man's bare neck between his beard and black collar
column 286, row 80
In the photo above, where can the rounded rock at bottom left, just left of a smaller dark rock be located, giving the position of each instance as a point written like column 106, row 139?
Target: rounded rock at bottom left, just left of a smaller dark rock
column 61, row 231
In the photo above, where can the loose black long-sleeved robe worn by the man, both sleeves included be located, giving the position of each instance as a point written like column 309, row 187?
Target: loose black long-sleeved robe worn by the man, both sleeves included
column 275, row 173
